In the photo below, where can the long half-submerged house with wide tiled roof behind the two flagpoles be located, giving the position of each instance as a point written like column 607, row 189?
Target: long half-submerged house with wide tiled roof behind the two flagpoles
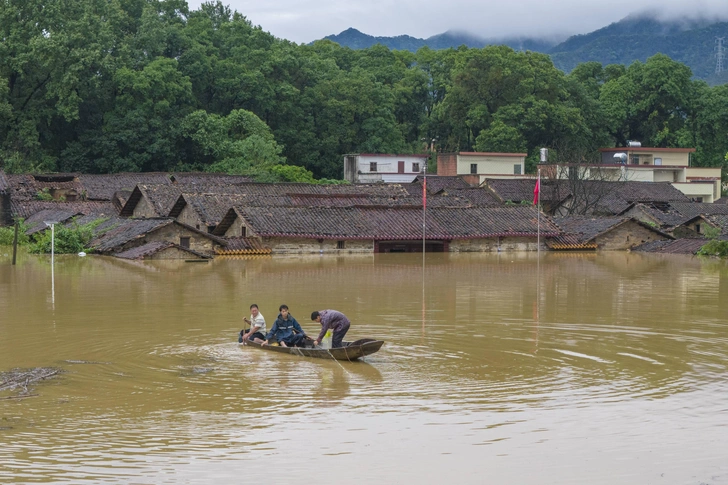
column 390, row 229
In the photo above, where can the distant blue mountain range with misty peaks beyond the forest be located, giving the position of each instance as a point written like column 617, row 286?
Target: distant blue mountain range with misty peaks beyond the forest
column 634, row 38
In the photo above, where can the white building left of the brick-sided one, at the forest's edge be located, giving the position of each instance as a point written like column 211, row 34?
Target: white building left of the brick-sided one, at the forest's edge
column 367, row 168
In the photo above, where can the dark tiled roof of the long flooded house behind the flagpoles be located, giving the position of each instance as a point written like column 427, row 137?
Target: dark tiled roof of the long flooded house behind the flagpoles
column 395, row 223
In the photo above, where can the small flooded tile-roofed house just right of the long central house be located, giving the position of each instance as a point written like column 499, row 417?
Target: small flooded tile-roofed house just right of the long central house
column 603, row 233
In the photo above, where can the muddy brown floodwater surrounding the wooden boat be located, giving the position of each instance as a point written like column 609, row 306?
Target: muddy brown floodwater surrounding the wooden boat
column 578, row 368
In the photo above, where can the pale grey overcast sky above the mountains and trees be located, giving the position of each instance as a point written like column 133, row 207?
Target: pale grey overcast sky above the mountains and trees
column 304, row 21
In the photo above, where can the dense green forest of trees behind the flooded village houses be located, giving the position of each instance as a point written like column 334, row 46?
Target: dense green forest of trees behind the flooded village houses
column 104, row 86
